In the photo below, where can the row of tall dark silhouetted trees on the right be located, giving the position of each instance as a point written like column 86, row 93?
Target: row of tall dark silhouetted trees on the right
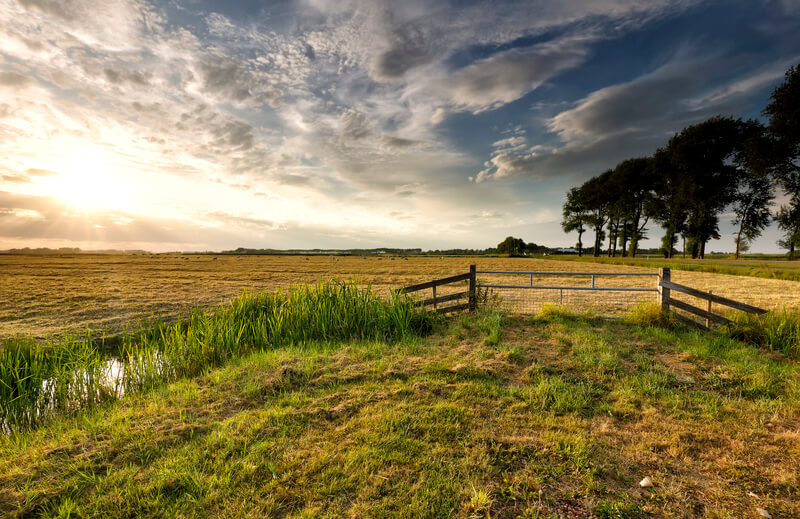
column 722, row 164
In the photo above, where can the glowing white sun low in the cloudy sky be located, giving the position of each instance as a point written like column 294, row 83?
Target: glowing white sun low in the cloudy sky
column 87, row 182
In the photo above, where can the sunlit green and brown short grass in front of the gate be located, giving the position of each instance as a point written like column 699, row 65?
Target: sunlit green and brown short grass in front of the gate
column 557, row 416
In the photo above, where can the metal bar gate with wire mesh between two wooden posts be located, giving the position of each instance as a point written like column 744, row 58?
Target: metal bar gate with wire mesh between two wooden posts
column 609, row 294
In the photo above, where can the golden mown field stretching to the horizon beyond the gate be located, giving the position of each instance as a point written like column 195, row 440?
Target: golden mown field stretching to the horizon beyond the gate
column 44, row 296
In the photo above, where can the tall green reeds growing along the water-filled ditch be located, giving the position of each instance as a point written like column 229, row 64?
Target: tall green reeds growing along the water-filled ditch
column 38, row 381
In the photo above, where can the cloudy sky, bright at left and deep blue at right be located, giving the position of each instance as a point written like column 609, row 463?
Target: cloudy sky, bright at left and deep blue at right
column 203, row 125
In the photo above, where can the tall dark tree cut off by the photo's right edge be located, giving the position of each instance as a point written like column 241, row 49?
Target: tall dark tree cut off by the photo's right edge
column 783, row 111
